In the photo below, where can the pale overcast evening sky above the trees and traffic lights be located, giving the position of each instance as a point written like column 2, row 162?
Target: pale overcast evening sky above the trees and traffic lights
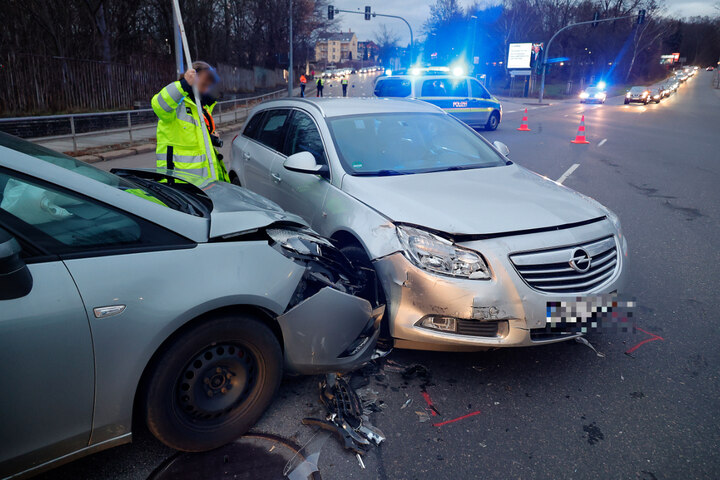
column 417, row 11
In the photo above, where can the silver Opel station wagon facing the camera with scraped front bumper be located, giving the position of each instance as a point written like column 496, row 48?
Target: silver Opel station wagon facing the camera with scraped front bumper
column 471, row 250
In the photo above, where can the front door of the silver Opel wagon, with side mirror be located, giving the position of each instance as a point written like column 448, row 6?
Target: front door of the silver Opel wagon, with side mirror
column 301, row 193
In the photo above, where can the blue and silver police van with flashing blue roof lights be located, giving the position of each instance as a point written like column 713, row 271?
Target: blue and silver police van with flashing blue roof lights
column 461, row 96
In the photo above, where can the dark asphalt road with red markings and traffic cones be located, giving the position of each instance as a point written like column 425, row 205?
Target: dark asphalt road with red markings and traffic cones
column 560, row 411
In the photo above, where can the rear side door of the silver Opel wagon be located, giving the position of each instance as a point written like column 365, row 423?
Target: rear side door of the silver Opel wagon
column 263, row 149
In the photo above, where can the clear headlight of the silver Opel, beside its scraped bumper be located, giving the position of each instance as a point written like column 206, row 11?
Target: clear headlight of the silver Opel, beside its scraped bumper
column 439, row 255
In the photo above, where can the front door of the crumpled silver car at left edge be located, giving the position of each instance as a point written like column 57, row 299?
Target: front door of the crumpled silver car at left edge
column 46, row 350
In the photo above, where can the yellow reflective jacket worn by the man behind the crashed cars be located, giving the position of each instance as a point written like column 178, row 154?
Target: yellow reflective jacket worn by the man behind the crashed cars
column 180, row 143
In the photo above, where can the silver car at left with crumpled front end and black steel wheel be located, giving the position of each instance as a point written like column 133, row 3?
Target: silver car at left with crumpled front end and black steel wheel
column 156, row 296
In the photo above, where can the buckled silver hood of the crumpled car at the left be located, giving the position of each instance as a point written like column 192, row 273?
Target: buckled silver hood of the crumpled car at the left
column 235, row 209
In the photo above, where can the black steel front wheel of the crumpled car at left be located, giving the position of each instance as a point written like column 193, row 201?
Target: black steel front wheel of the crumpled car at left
column 212, row 383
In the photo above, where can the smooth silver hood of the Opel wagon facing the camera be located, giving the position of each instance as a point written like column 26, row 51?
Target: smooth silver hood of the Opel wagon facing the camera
column 479, row 201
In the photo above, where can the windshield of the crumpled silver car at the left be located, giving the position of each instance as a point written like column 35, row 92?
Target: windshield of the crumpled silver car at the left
column 87, row 170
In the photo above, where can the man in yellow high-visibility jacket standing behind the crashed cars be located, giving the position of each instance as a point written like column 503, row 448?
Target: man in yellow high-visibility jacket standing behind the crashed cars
column 180, row 142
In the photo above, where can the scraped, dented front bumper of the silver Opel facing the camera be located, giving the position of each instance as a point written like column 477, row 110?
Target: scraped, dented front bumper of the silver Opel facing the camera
column 501, row 312
